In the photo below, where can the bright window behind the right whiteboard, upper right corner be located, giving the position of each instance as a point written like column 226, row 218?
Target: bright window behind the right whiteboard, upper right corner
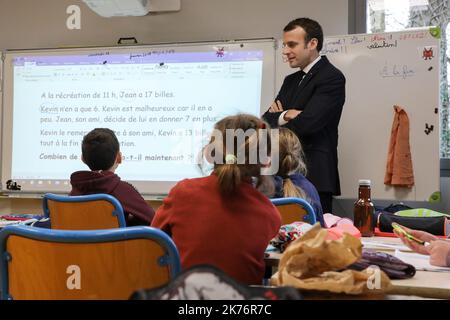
column 397, row 15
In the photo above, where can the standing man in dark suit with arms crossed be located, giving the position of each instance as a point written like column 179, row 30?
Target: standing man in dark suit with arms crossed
column 310, row 103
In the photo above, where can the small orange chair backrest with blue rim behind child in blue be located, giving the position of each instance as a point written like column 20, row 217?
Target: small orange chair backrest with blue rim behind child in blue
column 294, row 209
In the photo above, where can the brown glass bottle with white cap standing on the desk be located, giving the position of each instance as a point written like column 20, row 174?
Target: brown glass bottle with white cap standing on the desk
column 363, row 210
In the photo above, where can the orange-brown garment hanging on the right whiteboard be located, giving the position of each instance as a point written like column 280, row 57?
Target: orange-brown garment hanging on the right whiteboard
column 399, row 169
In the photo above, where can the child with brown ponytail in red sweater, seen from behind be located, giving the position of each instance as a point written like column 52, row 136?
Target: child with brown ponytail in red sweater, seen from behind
column 222, row 219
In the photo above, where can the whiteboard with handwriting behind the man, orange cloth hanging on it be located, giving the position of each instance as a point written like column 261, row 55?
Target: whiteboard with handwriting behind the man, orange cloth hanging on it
column 383, row 70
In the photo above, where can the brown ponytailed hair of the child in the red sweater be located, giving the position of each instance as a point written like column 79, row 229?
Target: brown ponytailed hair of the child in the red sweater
column 237, row 160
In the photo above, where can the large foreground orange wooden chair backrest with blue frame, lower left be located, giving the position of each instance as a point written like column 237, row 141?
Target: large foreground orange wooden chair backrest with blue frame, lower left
column 50, row 264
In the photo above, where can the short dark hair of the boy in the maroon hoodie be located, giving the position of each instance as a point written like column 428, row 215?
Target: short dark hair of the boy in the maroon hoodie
column 100, row 148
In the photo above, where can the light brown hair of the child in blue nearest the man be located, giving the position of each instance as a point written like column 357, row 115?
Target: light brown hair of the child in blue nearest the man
column 291, row 161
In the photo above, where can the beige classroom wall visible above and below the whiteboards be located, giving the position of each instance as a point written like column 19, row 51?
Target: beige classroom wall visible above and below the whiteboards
column 42, row 24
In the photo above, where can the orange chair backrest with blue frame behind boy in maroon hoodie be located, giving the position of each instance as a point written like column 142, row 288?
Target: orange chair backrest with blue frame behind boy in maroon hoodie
column 89, row 212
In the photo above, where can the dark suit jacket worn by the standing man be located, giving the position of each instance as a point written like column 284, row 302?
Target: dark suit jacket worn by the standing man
column 320, row 96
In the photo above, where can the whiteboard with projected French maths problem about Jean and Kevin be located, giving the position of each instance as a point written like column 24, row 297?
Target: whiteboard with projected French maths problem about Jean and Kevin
column 161, row 100
